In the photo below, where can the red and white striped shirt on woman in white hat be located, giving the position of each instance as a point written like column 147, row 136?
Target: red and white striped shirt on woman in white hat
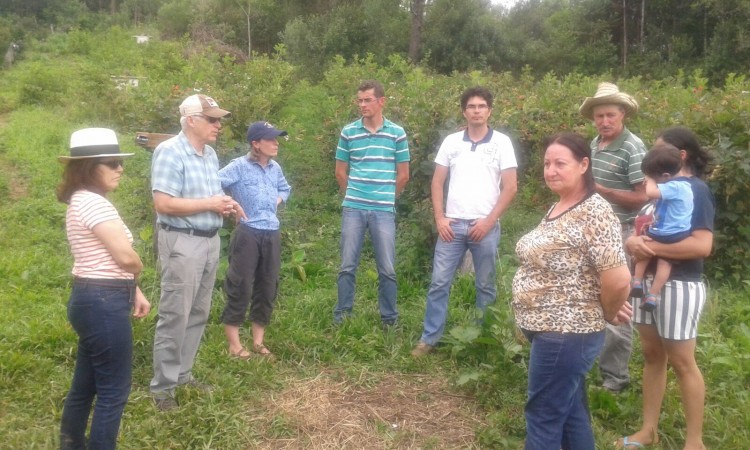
column 91, row 258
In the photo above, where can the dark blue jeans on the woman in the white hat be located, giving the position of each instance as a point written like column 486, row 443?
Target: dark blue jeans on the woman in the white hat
column 99, row 311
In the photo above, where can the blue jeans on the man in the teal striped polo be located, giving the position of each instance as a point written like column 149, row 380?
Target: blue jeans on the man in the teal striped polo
column 382, row 228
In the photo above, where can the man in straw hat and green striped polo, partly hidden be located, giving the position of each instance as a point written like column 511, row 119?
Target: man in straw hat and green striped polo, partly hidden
column 617, row 155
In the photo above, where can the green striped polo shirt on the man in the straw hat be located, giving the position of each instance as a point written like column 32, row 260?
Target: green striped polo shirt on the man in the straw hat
column 618, row 166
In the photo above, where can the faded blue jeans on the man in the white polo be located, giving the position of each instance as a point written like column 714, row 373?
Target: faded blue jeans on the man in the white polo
column 448, row 256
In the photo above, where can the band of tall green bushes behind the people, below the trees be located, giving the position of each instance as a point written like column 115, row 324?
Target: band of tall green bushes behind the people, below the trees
column 72, row 72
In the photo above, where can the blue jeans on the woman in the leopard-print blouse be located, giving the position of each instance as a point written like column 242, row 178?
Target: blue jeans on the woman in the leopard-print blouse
column 557, row 414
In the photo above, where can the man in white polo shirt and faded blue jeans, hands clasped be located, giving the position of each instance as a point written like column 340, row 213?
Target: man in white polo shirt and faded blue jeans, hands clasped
column 482, row 166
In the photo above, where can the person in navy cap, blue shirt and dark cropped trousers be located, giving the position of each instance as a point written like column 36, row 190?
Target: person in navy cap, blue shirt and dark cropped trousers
column 258, row 184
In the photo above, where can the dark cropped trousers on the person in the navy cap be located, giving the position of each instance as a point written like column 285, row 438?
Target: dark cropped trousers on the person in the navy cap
column 253, row 274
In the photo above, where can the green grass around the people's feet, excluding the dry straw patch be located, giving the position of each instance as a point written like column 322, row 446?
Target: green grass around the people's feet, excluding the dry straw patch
column 37, row 345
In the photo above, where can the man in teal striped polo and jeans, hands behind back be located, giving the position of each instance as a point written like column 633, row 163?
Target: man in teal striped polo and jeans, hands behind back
column 372, row 168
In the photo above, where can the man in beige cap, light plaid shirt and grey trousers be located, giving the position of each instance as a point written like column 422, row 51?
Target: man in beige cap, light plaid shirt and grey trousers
column 190, row 205
